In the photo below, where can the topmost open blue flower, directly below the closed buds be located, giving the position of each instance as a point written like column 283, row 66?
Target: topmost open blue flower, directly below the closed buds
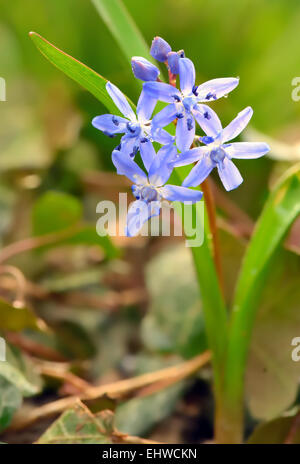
column 187, row 104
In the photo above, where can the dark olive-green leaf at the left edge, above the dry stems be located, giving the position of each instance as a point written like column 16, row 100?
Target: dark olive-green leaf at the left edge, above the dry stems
column 16, row 319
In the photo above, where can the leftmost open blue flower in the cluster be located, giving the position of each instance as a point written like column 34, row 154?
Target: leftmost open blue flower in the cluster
column 138, row 131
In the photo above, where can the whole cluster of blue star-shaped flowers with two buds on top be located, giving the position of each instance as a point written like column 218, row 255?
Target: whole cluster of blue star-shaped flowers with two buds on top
column 185, row 107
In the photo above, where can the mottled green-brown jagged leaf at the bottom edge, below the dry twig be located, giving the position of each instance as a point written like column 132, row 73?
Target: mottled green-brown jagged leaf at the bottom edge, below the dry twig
column 79, row 426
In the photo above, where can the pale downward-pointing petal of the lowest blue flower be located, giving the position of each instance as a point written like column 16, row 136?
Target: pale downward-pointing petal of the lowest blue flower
column 139, row 212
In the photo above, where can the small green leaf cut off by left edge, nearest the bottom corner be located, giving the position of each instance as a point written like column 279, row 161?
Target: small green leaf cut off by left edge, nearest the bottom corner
column 10, row 401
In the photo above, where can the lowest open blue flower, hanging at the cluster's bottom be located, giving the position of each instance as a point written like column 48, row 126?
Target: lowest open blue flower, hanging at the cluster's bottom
column 149, row 190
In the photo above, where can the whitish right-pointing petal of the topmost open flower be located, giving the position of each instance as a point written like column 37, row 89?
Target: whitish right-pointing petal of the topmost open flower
column 216, row 88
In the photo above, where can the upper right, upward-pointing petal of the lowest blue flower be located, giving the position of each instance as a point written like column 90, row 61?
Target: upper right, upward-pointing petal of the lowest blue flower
column 161, row 168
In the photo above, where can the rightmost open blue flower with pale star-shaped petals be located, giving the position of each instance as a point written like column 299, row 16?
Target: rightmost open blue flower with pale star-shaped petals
column 218, row 153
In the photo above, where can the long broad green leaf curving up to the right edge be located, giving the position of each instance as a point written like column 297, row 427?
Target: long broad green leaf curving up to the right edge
column 281, row 209
